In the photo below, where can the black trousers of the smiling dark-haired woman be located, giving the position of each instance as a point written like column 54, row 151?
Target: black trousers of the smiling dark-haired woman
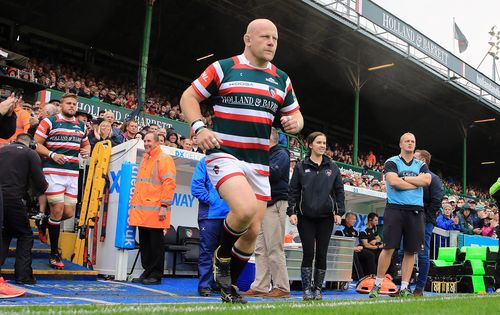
column 315, row 233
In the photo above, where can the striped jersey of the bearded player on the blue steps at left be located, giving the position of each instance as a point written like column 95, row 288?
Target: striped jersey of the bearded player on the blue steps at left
column 62, row 136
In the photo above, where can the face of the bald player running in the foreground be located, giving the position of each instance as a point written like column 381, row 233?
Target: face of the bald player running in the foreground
column 263, row 42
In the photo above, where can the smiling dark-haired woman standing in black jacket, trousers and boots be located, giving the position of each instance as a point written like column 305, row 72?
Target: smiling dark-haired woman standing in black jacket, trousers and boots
column 315, row 203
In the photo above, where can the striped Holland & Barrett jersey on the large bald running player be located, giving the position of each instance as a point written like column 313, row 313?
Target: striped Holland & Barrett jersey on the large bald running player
column 246, row 100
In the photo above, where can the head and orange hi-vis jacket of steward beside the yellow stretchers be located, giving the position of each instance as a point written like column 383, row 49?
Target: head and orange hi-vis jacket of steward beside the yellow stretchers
column 154, row 188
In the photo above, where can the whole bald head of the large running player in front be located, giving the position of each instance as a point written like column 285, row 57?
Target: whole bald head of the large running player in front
column 261, row 41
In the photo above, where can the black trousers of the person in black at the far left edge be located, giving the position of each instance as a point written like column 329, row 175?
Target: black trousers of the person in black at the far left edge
column 16, row 225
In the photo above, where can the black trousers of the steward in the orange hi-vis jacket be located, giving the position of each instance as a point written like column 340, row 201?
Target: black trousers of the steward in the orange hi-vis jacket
column 152, row 252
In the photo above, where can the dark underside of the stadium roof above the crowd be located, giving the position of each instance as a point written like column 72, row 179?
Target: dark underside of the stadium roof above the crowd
column 316, row 49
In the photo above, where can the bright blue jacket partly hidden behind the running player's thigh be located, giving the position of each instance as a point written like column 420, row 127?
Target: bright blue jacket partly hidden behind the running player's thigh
column 210, row 204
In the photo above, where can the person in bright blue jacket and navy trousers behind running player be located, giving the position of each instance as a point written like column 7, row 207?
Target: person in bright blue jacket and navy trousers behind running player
column 211, row 213
